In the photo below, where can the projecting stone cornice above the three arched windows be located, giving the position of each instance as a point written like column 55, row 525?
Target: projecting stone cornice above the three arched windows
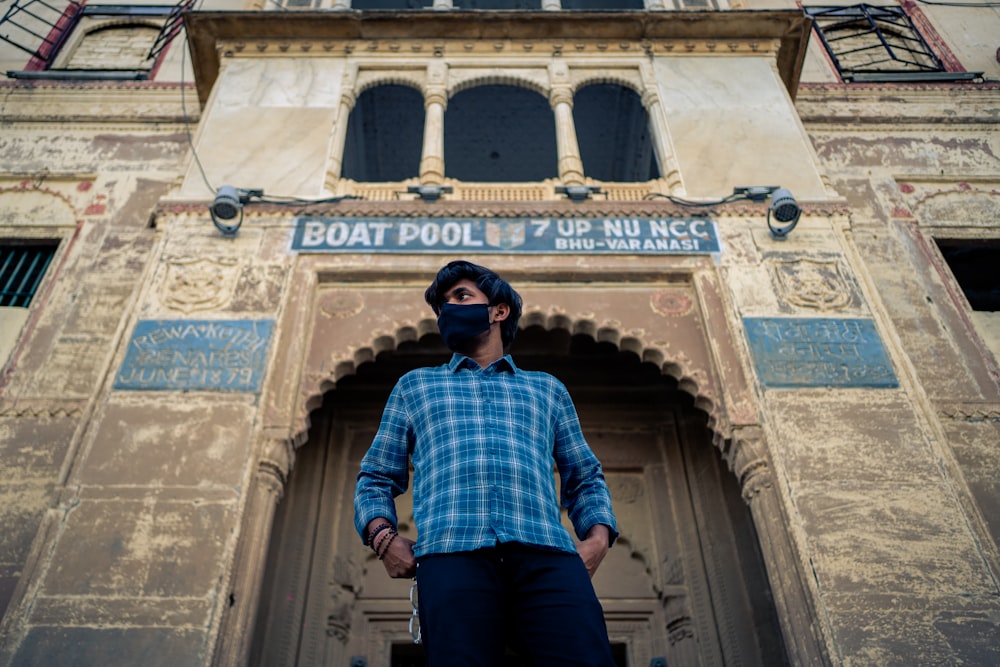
column 663, row 32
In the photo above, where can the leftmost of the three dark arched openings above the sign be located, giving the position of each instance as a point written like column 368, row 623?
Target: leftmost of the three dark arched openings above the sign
column 384, row 135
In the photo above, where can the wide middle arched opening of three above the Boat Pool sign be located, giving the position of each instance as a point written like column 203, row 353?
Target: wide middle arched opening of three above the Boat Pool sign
column 499, row 134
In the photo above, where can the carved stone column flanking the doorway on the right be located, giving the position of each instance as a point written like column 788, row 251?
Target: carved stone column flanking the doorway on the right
column 800, row 626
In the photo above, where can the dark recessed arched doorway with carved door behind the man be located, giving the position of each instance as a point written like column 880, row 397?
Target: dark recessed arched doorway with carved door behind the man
column 686, row 582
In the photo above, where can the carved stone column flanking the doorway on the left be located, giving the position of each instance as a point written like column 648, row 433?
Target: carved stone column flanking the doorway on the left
column 239, row 618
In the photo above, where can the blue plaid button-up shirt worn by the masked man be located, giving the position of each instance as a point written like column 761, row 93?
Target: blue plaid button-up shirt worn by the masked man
column 483, row 442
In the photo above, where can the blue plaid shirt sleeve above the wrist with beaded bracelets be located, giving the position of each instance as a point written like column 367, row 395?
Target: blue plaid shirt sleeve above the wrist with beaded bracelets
column 385, row 467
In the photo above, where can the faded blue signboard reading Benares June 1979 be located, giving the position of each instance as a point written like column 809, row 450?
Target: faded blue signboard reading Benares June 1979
column 196, row 355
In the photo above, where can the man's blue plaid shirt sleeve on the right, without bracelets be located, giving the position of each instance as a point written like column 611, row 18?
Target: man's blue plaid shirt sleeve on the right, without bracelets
column 584, row 490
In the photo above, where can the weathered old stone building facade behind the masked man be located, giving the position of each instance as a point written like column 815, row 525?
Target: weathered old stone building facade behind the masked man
column 756, row 240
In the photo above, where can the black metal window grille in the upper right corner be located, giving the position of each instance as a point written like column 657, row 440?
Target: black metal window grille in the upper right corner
column 876, row 43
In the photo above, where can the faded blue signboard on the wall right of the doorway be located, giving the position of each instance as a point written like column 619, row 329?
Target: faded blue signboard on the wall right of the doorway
column 818, row 352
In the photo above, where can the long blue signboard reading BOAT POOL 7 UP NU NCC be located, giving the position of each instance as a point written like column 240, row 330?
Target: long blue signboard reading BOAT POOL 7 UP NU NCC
column 643, row 236
